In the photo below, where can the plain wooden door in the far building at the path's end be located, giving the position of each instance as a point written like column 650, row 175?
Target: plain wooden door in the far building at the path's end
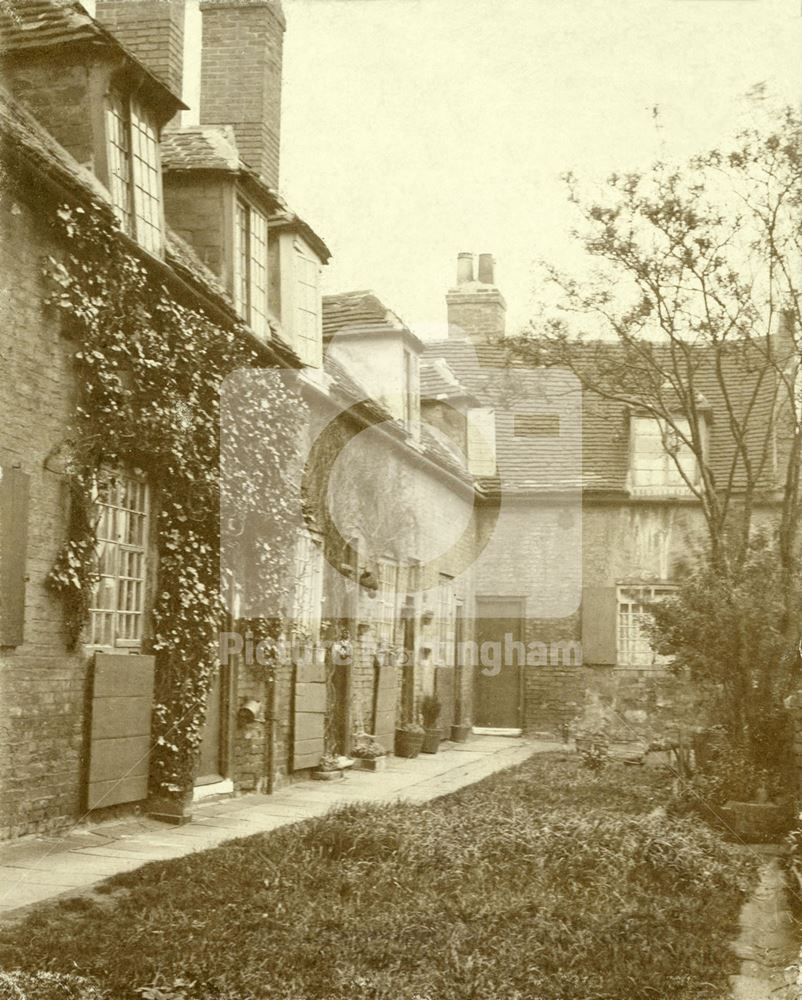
column 499, row 671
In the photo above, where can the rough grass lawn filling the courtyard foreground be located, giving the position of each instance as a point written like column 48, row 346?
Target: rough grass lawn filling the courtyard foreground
column 544, row 882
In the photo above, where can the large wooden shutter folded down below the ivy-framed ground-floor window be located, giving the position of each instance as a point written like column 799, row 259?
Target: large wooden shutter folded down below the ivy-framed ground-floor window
column 119, row 753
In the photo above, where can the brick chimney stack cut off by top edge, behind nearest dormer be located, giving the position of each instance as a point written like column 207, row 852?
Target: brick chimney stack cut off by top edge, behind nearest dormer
column 154, row 32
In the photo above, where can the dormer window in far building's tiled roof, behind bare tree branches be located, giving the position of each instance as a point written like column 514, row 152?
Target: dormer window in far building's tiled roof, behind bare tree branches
column 659, row 451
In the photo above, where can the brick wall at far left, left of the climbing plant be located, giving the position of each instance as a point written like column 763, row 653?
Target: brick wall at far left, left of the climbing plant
column 42, row 687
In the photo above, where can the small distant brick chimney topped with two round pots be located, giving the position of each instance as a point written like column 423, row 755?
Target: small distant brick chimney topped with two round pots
column 476, row 308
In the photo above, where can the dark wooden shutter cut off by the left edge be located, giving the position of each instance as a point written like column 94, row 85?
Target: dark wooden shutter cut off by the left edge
column 14, row 490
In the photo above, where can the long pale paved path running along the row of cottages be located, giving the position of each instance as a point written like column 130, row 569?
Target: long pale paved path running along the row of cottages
column 34, row 869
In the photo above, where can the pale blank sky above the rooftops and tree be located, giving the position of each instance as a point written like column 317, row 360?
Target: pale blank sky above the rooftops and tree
column 416, row 129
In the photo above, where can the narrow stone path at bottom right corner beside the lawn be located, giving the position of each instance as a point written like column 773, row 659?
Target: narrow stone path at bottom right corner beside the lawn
column 768, row 942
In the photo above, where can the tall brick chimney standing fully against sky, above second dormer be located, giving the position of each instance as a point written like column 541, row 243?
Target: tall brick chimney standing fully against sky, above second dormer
column 241, row 77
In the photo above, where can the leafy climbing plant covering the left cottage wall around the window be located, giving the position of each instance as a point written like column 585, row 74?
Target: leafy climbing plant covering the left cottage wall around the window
column 151, row 373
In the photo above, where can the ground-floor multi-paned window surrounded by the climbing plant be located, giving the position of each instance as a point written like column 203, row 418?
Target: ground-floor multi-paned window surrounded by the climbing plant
column 118, row 601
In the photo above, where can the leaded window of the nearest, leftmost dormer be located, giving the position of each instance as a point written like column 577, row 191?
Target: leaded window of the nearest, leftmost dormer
column 134, row 170
